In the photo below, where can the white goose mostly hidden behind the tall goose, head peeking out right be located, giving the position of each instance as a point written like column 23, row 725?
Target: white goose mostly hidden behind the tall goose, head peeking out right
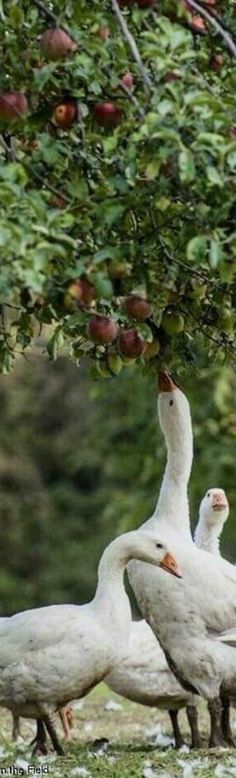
column 144, row 675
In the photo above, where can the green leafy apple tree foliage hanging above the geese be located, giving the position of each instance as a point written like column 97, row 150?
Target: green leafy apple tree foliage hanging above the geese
column 143, row 203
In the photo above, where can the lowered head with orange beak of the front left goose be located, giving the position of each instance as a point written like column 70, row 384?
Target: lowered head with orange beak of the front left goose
column 148, row 547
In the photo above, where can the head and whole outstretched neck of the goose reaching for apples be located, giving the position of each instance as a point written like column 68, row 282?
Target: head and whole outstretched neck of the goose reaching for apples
column 176, row 425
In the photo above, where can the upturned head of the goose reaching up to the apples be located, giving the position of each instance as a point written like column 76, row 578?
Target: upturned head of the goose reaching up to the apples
column 174, row 415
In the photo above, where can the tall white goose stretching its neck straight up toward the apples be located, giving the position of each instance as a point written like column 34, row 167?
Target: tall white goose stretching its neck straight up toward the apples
column 186, row 617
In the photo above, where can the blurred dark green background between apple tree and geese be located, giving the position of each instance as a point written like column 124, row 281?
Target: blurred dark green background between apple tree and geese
column 81, row 461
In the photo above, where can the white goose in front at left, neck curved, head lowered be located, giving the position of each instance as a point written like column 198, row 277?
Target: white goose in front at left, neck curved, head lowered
column 50, row 656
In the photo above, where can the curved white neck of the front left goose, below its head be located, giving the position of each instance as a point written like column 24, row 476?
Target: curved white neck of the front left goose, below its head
column 111, row 601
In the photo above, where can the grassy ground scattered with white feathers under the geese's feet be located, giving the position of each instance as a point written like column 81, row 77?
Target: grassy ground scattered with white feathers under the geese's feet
column 138, row 745
